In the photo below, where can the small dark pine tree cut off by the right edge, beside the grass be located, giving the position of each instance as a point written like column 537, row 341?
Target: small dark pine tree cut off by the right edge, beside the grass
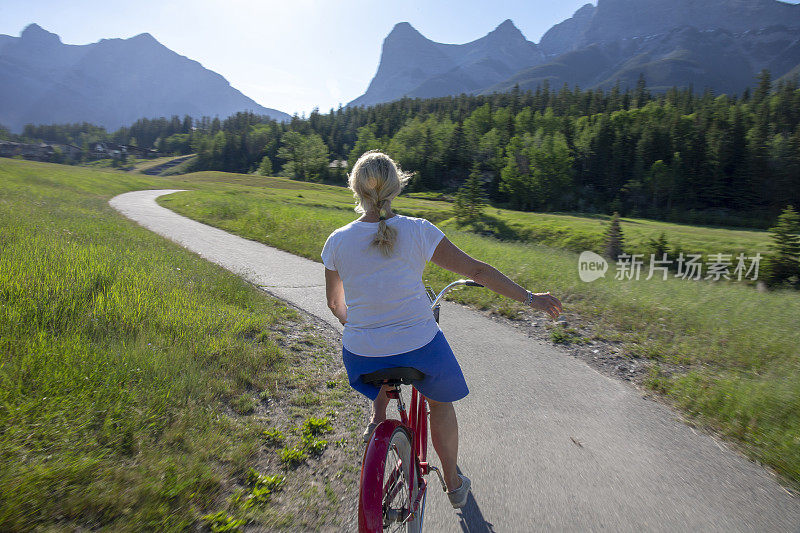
column 783, row 264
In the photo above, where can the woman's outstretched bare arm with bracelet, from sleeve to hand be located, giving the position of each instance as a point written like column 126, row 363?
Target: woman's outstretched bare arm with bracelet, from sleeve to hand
column 450, row 257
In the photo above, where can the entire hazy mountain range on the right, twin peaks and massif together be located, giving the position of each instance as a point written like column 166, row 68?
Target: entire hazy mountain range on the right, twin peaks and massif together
column 717, row 44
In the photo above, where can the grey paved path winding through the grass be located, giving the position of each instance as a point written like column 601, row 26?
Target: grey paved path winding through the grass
column 637, row 469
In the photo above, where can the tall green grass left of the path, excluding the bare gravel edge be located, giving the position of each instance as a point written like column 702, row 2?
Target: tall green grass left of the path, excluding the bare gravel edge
column 116, row 351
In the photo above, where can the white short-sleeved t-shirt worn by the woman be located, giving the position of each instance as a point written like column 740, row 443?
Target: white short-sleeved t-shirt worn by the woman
column 388, row 311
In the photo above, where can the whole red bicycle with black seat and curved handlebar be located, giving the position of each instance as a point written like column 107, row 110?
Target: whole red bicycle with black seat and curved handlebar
column 393, row 485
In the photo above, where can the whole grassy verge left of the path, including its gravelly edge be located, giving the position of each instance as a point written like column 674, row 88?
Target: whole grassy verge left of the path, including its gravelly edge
column 144, row 389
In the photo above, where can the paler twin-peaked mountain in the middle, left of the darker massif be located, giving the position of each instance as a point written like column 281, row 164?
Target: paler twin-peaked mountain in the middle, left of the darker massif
column 415, row 66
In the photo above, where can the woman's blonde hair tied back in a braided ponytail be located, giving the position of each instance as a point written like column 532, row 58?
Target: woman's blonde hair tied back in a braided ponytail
column 375, row 181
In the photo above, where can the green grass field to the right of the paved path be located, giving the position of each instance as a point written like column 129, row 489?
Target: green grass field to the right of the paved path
column 722, row 351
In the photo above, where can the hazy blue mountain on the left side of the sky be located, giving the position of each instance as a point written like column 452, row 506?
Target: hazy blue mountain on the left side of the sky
column 111, row 83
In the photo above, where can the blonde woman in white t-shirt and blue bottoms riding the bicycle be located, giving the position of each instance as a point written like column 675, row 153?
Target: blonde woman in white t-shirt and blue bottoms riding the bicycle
column 373, row 275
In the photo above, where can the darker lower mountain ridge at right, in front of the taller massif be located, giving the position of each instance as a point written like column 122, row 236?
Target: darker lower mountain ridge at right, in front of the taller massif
column 683, row 57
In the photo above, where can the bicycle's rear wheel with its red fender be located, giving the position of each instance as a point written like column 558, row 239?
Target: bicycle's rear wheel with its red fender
column 389, row 482
